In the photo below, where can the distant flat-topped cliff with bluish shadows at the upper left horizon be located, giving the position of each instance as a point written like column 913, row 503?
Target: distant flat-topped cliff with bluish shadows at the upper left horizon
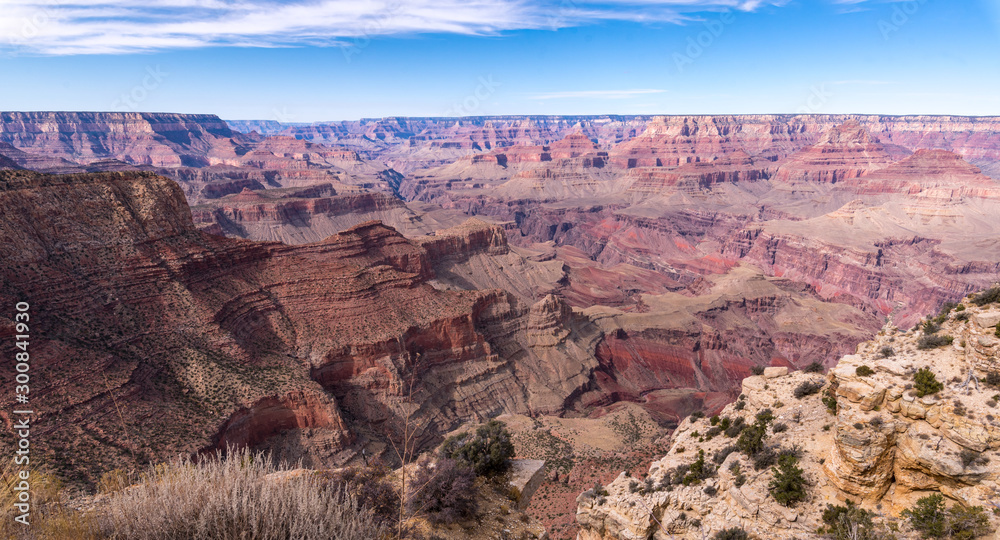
column 199, row 151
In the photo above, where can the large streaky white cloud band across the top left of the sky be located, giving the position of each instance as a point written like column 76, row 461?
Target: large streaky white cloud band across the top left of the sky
column 67, row 27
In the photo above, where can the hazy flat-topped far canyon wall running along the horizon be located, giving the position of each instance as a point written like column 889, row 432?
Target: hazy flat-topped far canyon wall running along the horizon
column 673, row 140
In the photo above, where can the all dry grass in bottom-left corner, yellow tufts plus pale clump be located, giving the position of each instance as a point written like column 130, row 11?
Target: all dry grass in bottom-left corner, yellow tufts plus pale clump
column 239, row 497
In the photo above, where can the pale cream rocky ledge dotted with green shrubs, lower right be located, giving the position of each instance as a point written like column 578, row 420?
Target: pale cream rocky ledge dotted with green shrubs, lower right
column 862, row 433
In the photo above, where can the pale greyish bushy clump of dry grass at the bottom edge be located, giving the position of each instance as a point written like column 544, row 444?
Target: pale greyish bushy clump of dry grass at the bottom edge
column 233, row 498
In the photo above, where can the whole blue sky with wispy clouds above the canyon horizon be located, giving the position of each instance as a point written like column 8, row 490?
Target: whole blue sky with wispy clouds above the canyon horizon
column 315, row 60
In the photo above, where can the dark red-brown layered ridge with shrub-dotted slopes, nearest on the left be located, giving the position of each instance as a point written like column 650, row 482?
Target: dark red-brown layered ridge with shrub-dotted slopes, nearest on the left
column 183, row 330
